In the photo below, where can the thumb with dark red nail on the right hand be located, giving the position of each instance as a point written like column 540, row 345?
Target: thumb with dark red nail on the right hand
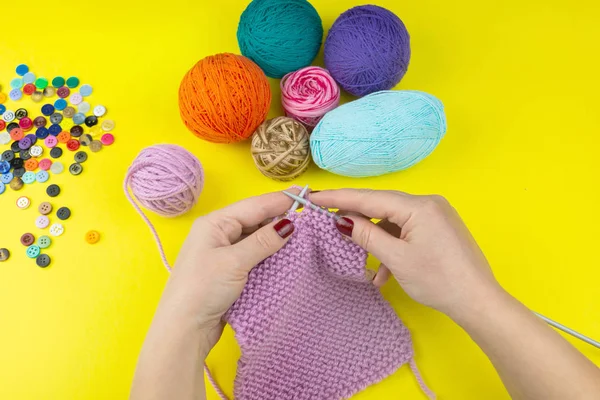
column 370, row 237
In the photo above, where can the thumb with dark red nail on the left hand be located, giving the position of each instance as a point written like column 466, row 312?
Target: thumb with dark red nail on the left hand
column 263, row 243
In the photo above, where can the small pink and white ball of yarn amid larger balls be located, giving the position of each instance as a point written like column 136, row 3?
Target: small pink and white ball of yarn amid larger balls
column 308, row 94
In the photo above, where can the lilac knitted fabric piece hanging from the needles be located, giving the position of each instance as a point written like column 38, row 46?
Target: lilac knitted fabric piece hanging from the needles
column 309, row 323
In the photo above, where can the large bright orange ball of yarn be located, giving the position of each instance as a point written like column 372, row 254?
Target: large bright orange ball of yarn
column 223, row 98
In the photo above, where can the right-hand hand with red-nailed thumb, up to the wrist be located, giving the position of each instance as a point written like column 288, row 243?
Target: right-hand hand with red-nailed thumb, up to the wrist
column 430, row 251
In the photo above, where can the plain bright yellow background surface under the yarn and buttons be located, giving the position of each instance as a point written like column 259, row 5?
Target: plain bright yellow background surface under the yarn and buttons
column 519, row 80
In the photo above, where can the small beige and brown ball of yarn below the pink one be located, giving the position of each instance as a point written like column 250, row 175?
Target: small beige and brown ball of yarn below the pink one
column 280, row 148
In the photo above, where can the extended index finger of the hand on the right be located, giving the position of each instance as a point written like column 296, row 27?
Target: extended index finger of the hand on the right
column 395, row 206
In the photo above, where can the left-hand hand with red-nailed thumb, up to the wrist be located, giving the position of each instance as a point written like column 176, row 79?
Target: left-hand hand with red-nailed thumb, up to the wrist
column 219, row 252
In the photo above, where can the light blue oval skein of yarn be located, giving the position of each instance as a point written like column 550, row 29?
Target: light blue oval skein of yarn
column 380, row 133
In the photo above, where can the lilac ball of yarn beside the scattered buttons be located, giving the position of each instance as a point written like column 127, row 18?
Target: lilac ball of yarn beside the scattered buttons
column 166, row 179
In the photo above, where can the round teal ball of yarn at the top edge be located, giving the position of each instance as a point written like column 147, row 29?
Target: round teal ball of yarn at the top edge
column 280, row 36
